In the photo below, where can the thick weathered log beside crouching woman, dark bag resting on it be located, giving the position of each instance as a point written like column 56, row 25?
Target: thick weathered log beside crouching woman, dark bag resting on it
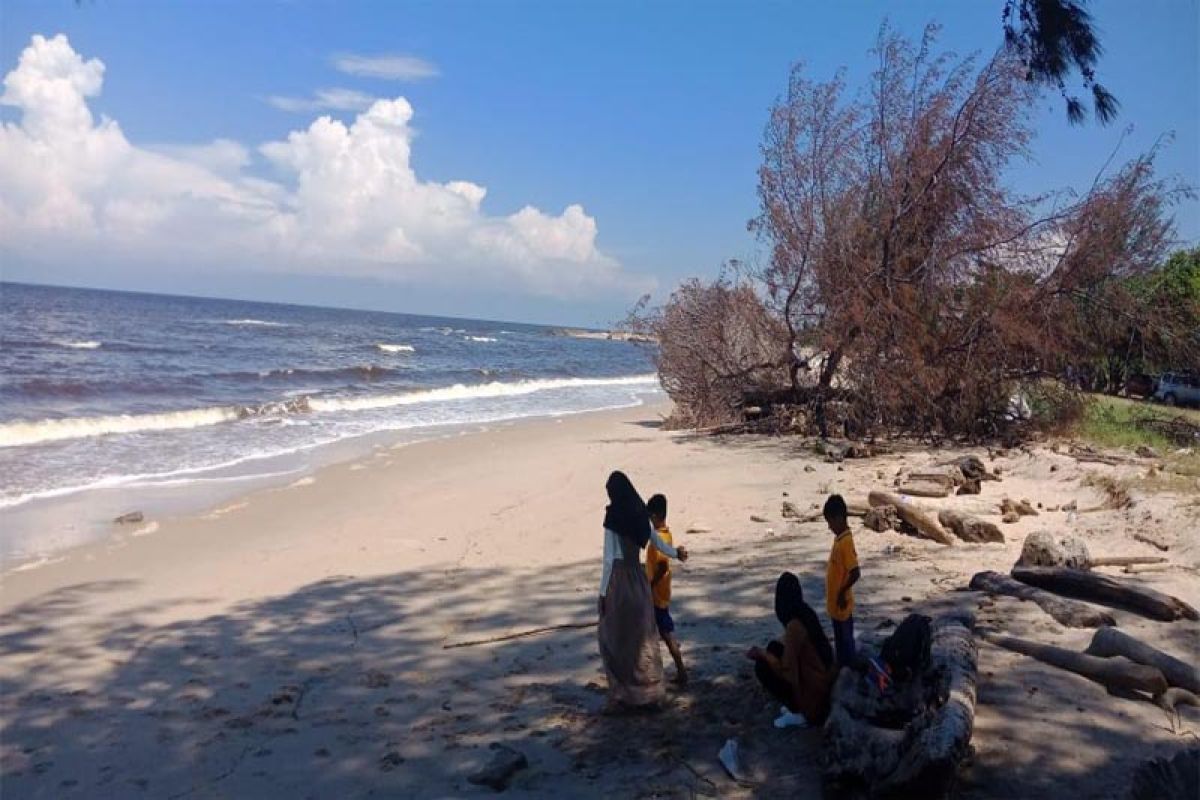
column 919, row 759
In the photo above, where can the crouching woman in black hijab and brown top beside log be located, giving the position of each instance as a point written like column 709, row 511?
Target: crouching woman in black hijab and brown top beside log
column 799, row 671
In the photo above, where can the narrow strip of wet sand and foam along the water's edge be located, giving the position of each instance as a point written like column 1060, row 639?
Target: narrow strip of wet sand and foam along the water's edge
column 86, row 516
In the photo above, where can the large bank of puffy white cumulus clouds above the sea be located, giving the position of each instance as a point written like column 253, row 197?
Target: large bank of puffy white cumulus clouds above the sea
column 340, row 199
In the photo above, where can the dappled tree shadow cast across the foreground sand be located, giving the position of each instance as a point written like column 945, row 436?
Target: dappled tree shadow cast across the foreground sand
column 344, row 689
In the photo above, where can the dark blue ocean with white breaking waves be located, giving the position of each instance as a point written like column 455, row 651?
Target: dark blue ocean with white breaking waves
column 106, row 390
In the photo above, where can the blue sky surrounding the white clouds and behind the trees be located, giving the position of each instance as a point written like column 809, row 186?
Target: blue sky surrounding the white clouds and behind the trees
column 647, row 116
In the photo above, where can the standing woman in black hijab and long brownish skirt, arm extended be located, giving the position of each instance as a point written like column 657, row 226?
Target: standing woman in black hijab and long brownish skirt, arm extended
column 629, row 640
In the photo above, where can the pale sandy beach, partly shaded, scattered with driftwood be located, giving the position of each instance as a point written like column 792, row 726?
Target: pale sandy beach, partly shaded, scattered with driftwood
column 293, row 643
